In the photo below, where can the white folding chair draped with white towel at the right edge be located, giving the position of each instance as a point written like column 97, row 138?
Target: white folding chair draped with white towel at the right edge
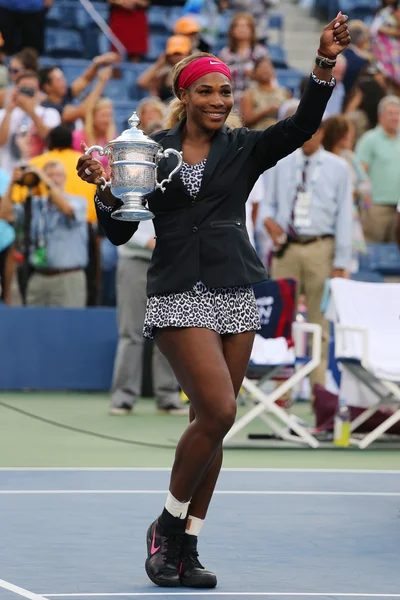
column 367, row 333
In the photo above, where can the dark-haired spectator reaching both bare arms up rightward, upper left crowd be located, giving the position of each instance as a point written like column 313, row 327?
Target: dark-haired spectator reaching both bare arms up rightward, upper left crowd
column 61, row 96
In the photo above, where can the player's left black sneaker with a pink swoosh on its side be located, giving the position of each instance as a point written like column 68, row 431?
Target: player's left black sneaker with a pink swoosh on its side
column 163, row 560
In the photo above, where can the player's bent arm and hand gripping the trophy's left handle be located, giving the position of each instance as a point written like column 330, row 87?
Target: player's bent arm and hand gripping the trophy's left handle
column 118, row 232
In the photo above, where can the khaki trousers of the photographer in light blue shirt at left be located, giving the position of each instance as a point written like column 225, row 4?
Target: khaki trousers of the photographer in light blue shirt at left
column 67, row 290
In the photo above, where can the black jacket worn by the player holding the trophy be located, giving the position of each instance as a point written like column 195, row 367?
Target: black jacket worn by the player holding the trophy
column 205, row 239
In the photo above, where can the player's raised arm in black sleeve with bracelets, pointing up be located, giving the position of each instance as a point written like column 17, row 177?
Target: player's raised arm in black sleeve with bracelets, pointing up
column 285, row 137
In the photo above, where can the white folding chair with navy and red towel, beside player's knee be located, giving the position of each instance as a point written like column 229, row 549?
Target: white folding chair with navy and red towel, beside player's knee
column 276, row 304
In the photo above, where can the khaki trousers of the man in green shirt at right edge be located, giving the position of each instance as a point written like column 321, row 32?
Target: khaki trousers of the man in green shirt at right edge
column 379, row 223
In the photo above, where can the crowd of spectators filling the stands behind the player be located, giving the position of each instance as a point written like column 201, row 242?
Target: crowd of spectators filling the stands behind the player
column 346, row 179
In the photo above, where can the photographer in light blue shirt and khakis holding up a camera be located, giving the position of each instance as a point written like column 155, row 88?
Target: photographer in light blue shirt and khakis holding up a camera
column 58, row 240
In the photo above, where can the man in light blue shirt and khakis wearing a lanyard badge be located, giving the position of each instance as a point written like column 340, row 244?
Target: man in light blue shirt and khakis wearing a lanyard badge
column 307, row 213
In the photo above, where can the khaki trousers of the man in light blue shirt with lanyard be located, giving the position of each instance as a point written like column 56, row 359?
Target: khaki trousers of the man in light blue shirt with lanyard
column 311, row 264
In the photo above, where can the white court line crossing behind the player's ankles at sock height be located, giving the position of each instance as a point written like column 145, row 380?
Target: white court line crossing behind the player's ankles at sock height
column 218, row 492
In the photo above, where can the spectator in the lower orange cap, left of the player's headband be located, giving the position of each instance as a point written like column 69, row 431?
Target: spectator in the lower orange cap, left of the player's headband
column 157, row 78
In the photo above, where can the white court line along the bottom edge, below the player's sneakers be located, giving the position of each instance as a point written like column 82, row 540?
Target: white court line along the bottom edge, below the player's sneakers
column 243, row 594
